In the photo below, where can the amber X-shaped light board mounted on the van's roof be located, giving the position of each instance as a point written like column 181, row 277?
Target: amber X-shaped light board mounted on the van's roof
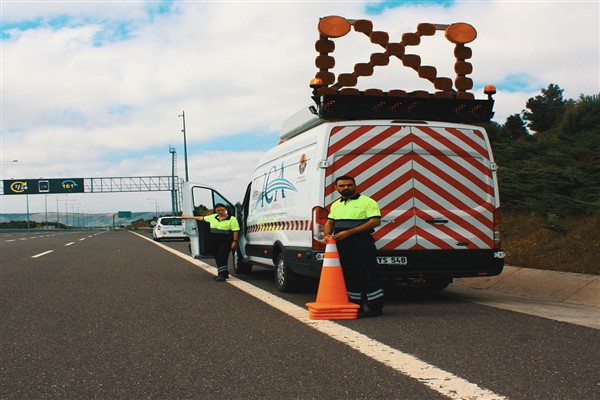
column 450, row 100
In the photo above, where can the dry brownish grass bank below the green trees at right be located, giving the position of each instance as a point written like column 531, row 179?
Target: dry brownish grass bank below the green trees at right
column 560, row 244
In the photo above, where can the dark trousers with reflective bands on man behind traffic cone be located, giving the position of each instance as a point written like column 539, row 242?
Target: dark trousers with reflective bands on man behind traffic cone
column 361, row 271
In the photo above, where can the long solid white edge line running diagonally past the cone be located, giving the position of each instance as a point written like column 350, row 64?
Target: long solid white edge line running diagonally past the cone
column 434, row 378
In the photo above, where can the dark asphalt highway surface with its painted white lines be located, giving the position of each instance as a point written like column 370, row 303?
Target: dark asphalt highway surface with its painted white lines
column 114, row 315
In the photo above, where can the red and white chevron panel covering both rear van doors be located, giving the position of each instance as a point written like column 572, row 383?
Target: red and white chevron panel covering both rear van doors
column 418, row 174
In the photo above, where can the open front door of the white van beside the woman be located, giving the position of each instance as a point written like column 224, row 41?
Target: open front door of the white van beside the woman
column 201, row 200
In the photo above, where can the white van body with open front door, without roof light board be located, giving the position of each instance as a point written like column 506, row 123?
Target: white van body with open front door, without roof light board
column 435, row 183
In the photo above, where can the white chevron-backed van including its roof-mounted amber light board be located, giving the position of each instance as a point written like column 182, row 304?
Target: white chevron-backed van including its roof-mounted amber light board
column 422, row 156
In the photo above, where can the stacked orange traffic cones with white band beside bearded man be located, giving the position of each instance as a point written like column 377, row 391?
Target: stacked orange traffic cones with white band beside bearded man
column 332, row 297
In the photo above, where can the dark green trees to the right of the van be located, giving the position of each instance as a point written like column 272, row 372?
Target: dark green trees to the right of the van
column 549, row 155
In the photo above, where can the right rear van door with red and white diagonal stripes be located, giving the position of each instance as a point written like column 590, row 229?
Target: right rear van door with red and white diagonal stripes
column 453, row 189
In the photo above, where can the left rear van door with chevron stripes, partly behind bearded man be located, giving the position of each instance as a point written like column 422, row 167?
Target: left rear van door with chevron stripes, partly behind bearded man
column 379, row 157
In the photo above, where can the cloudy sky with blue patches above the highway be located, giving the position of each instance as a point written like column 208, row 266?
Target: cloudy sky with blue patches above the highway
column 95, row 89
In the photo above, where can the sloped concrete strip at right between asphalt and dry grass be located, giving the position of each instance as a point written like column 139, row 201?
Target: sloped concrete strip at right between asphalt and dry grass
column 555, row 286
